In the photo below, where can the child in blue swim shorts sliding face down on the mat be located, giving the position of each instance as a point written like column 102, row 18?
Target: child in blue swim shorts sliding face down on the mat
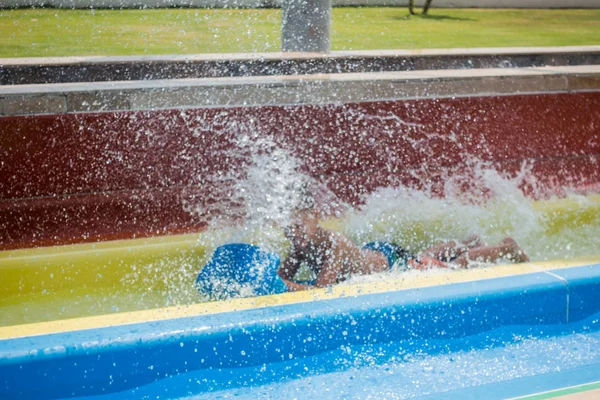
column 334, row 258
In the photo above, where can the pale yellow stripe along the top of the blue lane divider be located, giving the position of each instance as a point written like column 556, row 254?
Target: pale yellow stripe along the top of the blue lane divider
column 412, row 280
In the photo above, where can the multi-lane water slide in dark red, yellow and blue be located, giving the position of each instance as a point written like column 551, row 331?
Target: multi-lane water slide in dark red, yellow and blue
column 108, row 217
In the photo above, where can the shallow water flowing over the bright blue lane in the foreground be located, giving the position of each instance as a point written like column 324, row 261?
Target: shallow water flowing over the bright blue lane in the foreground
column 506, row 362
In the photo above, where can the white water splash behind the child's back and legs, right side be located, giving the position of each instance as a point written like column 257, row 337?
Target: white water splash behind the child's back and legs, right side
column 418, row 219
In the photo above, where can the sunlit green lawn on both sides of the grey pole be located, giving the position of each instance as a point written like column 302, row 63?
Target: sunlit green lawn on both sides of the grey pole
column 54, row 32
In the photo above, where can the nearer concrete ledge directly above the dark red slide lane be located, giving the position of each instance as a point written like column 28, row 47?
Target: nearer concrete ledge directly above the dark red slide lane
column 295, row 89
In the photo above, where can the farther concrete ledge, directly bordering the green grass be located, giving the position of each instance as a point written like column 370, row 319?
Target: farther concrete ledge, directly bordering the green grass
column 17, row 71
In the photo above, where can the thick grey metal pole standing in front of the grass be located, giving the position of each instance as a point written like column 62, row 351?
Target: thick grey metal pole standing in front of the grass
column 305, row 25
